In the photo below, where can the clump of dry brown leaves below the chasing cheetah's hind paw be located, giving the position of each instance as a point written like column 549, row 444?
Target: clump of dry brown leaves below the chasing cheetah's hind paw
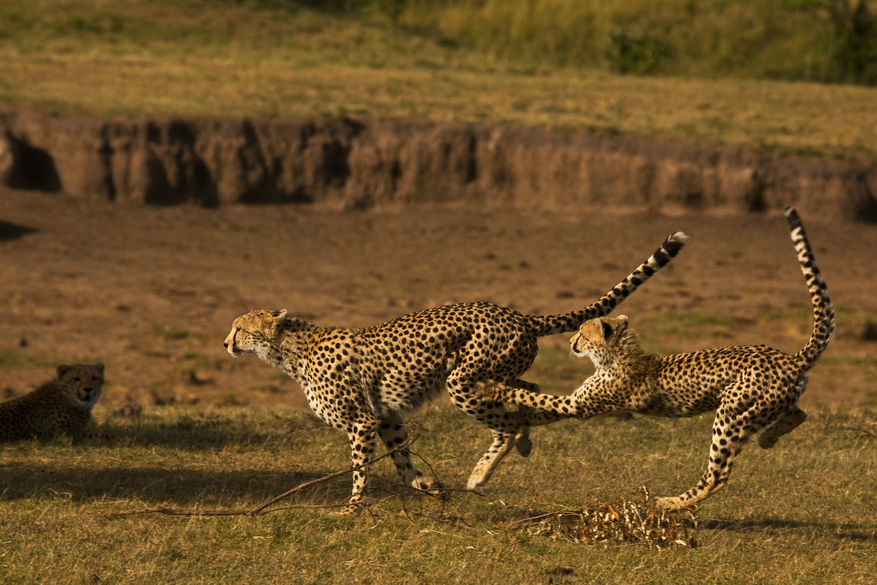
column 621, row 521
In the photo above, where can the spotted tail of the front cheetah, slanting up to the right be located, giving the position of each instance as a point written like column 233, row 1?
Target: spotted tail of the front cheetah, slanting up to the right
column 569, row 322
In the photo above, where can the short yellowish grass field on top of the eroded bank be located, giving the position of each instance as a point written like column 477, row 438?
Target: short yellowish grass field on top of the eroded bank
column 277, row 59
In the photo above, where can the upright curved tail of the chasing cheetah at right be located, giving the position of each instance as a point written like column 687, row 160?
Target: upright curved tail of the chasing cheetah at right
column 823, row 312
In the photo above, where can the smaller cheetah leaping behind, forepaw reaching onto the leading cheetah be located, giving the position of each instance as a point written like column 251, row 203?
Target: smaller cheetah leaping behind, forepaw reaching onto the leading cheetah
column 754, row 389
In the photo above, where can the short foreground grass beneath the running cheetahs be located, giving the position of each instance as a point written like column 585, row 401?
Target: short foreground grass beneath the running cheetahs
column 801, row 513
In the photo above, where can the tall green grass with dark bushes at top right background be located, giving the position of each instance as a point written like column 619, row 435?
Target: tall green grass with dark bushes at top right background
column 787, row 40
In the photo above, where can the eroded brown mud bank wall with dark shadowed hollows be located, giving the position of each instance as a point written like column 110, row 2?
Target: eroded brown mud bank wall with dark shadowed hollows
column 378, row 163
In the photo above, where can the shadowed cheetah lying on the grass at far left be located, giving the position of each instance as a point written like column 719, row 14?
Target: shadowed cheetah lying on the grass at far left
column 60, row 406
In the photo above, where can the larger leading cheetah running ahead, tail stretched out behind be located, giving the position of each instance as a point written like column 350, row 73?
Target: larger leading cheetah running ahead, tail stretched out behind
column 361, row 381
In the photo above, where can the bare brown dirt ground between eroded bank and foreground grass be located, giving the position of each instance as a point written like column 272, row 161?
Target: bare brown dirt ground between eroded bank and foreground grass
column 152, row 291
